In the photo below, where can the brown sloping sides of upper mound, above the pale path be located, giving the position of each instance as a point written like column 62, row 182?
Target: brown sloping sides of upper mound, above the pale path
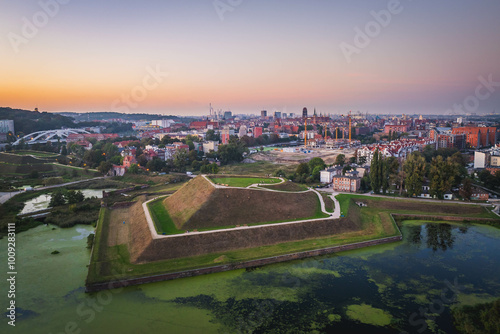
column 200, row 206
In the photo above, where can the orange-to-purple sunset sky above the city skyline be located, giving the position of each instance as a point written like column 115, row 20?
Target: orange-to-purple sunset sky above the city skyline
column 275, row 55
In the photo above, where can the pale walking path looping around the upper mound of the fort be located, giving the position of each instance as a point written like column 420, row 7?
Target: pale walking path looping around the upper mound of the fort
column 334, row 215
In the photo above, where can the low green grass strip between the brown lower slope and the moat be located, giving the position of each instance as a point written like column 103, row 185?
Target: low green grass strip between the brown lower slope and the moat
column 373, row 222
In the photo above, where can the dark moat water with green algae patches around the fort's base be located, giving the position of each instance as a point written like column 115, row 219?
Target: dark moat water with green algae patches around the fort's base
column 408, row 286
